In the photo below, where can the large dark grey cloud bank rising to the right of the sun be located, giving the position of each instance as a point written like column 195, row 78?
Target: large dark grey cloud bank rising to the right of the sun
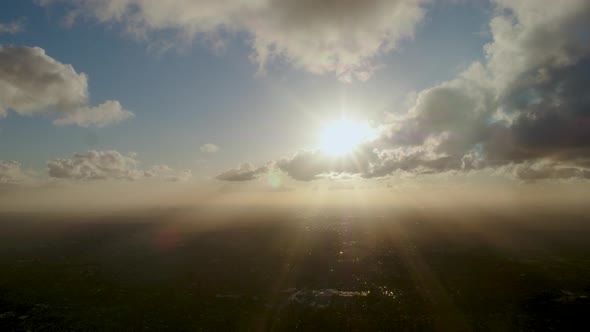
column 526, row 108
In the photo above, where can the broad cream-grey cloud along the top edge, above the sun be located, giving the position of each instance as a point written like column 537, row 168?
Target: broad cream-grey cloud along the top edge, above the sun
column 338, row 36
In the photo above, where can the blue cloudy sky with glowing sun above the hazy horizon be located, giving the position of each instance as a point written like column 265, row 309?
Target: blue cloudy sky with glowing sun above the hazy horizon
column 293, row 94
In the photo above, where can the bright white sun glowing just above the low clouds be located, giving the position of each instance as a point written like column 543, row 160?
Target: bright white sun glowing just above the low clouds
column 344, row 136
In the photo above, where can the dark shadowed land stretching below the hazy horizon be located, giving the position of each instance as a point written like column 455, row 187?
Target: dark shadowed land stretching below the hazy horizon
column 187, row 270
